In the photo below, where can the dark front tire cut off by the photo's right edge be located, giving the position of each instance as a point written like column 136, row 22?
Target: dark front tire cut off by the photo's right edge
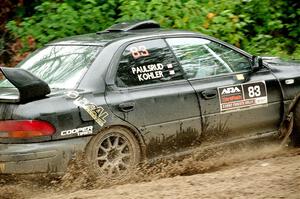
column 295, row 135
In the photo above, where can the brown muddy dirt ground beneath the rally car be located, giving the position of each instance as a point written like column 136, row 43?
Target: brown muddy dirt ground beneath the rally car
column 248, row 172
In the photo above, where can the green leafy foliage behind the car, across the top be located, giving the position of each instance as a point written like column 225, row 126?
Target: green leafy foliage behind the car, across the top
column 261, row 27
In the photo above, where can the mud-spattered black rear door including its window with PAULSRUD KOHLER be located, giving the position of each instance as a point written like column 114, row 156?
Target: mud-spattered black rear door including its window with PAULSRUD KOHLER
column 150, row 92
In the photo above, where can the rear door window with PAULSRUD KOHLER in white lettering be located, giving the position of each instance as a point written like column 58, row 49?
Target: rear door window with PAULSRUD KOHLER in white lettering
column 147, row 62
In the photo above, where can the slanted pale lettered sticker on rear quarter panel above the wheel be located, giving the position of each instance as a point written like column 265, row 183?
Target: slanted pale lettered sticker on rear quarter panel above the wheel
column 96, row 112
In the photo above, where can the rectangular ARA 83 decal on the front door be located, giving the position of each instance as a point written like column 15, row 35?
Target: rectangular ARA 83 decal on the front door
column 243, row 95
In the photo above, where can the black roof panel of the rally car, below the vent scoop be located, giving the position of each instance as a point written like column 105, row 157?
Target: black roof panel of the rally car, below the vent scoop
column 104, row 38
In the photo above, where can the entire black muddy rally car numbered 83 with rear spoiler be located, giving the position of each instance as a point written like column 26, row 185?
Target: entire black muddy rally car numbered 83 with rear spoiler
column 136, row 91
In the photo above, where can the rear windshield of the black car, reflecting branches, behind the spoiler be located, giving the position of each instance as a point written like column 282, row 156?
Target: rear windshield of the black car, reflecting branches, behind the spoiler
column 59, row 66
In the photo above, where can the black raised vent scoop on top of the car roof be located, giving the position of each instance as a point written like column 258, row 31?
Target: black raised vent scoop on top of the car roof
column 133, row 25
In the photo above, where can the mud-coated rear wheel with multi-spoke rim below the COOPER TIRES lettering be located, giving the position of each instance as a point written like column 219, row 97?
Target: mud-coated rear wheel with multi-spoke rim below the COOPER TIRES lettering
column 113, row 153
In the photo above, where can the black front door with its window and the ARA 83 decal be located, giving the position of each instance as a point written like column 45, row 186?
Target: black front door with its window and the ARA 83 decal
column 235, row 102
